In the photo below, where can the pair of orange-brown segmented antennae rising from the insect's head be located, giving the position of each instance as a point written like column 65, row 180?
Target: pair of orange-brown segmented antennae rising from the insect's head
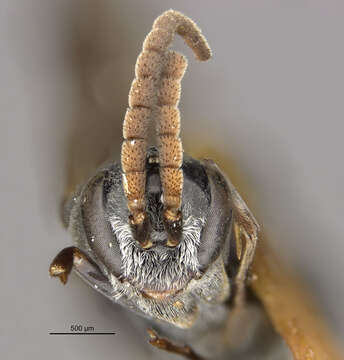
column 155, row 94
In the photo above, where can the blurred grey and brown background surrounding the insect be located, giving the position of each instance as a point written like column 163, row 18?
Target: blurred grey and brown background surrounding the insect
column 270, row 102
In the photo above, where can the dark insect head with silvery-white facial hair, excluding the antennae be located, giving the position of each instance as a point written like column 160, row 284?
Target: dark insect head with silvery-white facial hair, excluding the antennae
column 163, row 281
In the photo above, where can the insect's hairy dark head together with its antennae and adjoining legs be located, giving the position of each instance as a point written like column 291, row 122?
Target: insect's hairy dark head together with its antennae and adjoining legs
column 153, row 231
